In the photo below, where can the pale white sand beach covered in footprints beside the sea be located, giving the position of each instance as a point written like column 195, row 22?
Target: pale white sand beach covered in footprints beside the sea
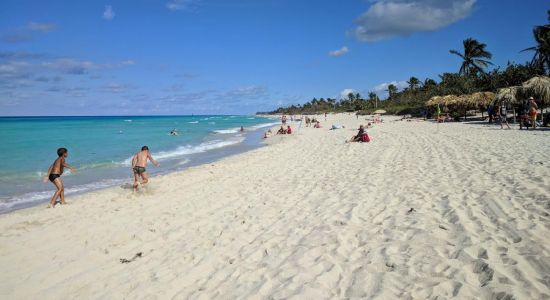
column 424, row 211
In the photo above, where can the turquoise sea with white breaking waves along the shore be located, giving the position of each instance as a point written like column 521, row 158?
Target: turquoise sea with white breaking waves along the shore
column 101, row 148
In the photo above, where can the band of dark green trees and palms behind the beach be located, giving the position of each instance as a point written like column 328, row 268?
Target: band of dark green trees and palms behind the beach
column 472, row 77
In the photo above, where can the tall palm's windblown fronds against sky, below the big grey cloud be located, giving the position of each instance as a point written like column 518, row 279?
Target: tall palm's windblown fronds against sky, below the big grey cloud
column 474, row 58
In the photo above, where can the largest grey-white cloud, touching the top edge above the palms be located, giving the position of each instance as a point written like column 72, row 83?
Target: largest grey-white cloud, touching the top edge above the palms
column 390, row 18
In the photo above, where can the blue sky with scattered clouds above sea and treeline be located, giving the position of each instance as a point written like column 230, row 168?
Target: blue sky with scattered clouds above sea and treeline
column 144, row 57
